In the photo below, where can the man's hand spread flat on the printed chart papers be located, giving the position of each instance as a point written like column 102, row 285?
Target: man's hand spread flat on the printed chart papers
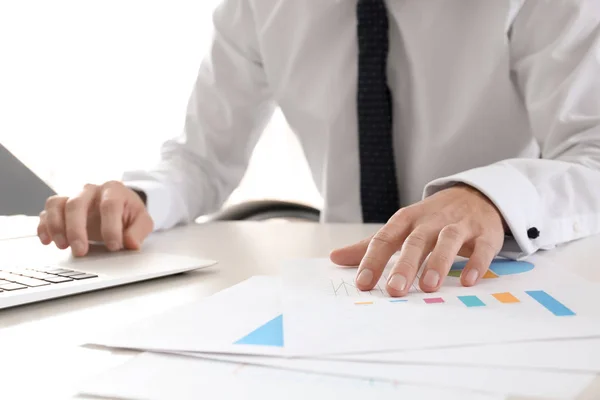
column 459, row 220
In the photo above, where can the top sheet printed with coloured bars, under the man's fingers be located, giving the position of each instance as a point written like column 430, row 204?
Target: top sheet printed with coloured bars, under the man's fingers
column 516, row 301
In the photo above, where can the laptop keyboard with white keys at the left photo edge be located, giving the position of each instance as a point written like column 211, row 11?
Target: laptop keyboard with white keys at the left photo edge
column 12, row 279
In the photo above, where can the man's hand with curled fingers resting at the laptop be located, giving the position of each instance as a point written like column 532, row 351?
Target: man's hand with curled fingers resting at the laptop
column 111, row 213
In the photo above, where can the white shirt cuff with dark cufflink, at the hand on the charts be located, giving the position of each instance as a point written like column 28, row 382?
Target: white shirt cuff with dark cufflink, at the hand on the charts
column 515, row 197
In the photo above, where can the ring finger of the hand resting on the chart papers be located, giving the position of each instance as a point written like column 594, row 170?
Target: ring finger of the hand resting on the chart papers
column 449, row 243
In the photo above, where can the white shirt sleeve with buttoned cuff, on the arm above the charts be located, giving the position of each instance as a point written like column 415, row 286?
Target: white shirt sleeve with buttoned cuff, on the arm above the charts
column 555, row 53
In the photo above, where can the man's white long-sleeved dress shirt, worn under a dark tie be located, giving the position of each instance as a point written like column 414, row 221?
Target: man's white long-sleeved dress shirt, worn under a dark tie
column 500, row 95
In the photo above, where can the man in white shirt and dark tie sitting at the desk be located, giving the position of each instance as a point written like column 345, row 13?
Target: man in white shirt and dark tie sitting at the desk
column 478, row 120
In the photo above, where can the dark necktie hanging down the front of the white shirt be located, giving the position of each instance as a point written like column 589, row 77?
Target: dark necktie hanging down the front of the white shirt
column 378, row 188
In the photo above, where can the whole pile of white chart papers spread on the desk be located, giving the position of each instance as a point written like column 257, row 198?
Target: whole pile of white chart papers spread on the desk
column 528, row 329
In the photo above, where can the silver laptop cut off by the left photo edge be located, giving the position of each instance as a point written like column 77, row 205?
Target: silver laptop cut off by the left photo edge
column 28, row 282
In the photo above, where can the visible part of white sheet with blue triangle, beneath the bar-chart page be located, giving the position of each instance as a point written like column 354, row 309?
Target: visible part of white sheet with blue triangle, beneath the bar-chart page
column 243, row 319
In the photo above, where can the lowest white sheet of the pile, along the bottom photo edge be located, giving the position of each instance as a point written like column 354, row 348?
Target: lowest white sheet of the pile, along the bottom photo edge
column 164, row 376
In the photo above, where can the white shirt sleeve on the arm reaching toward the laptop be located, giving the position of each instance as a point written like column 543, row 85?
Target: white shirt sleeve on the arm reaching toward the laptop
column 228, row 110
